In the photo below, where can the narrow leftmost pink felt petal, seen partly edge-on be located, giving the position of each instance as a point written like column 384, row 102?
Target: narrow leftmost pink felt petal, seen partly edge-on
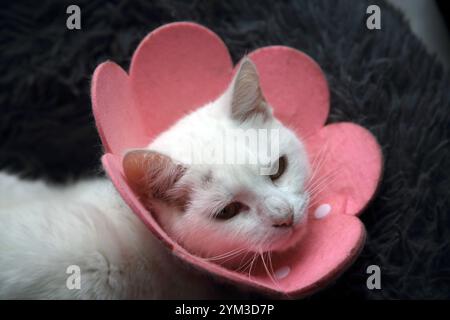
column 118, row 121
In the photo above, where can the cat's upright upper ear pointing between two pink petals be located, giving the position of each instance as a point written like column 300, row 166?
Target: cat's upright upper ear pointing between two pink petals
column 247, row 99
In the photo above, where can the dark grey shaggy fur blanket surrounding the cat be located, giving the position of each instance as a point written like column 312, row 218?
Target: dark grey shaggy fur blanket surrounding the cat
column 383, row 80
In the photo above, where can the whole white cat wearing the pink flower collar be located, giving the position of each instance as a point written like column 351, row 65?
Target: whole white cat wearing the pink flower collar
column 212, row 209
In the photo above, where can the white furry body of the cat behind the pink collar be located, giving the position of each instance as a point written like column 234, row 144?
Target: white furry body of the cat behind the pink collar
column 46, row 229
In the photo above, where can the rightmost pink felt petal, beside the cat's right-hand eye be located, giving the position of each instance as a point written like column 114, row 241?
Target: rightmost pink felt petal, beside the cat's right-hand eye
column 347, row 161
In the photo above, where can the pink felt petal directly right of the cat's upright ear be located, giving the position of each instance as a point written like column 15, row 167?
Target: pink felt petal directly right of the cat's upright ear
column 295, row 86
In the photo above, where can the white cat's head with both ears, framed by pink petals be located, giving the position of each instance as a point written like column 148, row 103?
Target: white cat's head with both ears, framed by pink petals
column 226, row 177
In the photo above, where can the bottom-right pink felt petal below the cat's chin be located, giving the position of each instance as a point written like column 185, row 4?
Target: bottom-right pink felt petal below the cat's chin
column 329, row 247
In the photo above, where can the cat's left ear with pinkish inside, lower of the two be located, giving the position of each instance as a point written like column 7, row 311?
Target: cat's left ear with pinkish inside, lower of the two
column 154, row 175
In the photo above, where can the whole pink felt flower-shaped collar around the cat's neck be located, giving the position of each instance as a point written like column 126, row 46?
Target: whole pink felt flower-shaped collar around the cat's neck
column 180, row 67
